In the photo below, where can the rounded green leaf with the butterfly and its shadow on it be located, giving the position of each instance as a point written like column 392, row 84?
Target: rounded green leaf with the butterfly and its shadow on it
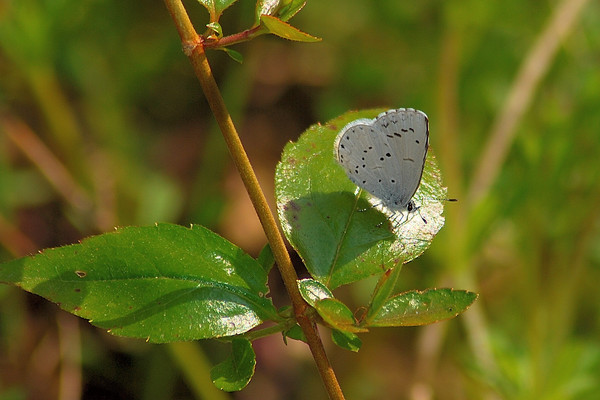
column 339, row 234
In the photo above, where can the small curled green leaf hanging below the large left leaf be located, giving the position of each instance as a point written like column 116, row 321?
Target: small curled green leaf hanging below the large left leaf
column 235, row 372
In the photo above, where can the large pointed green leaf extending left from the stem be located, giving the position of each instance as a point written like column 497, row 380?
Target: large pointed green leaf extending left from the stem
column 163, row 283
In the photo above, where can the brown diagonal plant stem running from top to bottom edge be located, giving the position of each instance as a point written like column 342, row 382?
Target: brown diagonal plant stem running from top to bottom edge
column 194, row 48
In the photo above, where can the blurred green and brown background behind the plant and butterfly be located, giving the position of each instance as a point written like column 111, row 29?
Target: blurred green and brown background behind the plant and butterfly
column 102, row 123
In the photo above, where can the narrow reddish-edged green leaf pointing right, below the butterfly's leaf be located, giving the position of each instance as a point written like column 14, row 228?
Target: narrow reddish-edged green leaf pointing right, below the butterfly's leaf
column 415, row 308
